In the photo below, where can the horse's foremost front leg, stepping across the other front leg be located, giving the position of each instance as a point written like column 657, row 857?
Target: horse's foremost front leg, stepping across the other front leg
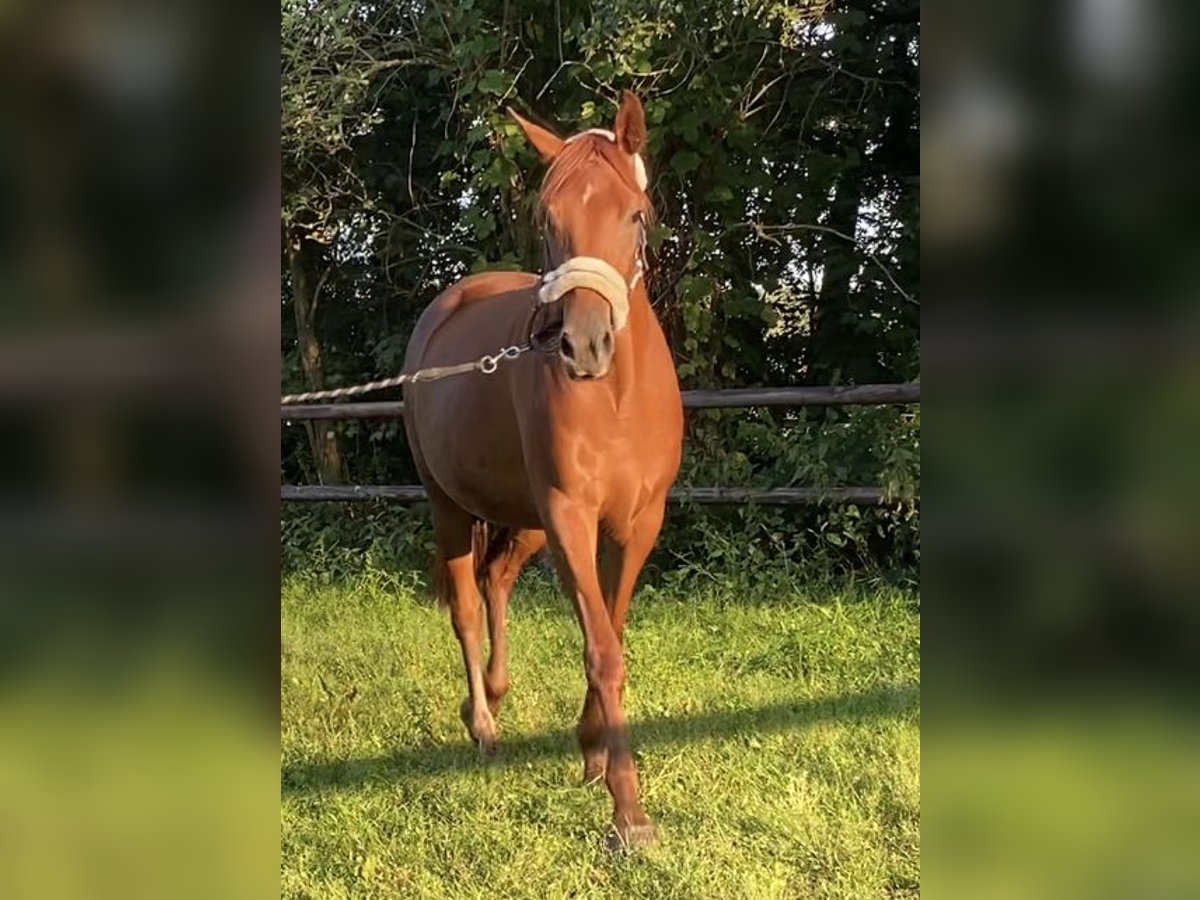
column 573, row 532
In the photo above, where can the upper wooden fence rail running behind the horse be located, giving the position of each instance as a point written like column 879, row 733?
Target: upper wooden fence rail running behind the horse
column 733, row 399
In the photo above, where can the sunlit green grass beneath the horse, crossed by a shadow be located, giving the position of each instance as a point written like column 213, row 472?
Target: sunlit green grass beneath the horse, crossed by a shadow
column 777, row 736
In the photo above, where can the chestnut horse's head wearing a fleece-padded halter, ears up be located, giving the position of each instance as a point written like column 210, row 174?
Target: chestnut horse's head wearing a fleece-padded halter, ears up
column 592, row 212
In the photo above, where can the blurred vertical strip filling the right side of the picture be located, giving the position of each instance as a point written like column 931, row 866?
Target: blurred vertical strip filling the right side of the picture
column 1061, row 500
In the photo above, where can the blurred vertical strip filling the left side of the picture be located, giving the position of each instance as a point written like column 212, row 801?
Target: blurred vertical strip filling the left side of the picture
column 139, row 368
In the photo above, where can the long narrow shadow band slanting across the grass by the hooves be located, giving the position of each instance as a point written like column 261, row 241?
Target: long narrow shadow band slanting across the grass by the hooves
column 430, row 759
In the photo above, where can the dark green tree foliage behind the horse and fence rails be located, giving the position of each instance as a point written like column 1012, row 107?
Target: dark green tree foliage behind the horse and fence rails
column 784, row 167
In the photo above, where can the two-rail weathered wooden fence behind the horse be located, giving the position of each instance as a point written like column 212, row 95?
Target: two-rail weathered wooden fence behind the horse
column 735, row 399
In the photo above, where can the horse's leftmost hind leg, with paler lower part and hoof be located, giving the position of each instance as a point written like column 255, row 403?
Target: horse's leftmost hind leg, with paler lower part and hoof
column 453, row 531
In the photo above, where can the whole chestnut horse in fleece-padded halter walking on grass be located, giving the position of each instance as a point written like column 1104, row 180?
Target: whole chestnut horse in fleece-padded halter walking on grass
column 575, row 449
